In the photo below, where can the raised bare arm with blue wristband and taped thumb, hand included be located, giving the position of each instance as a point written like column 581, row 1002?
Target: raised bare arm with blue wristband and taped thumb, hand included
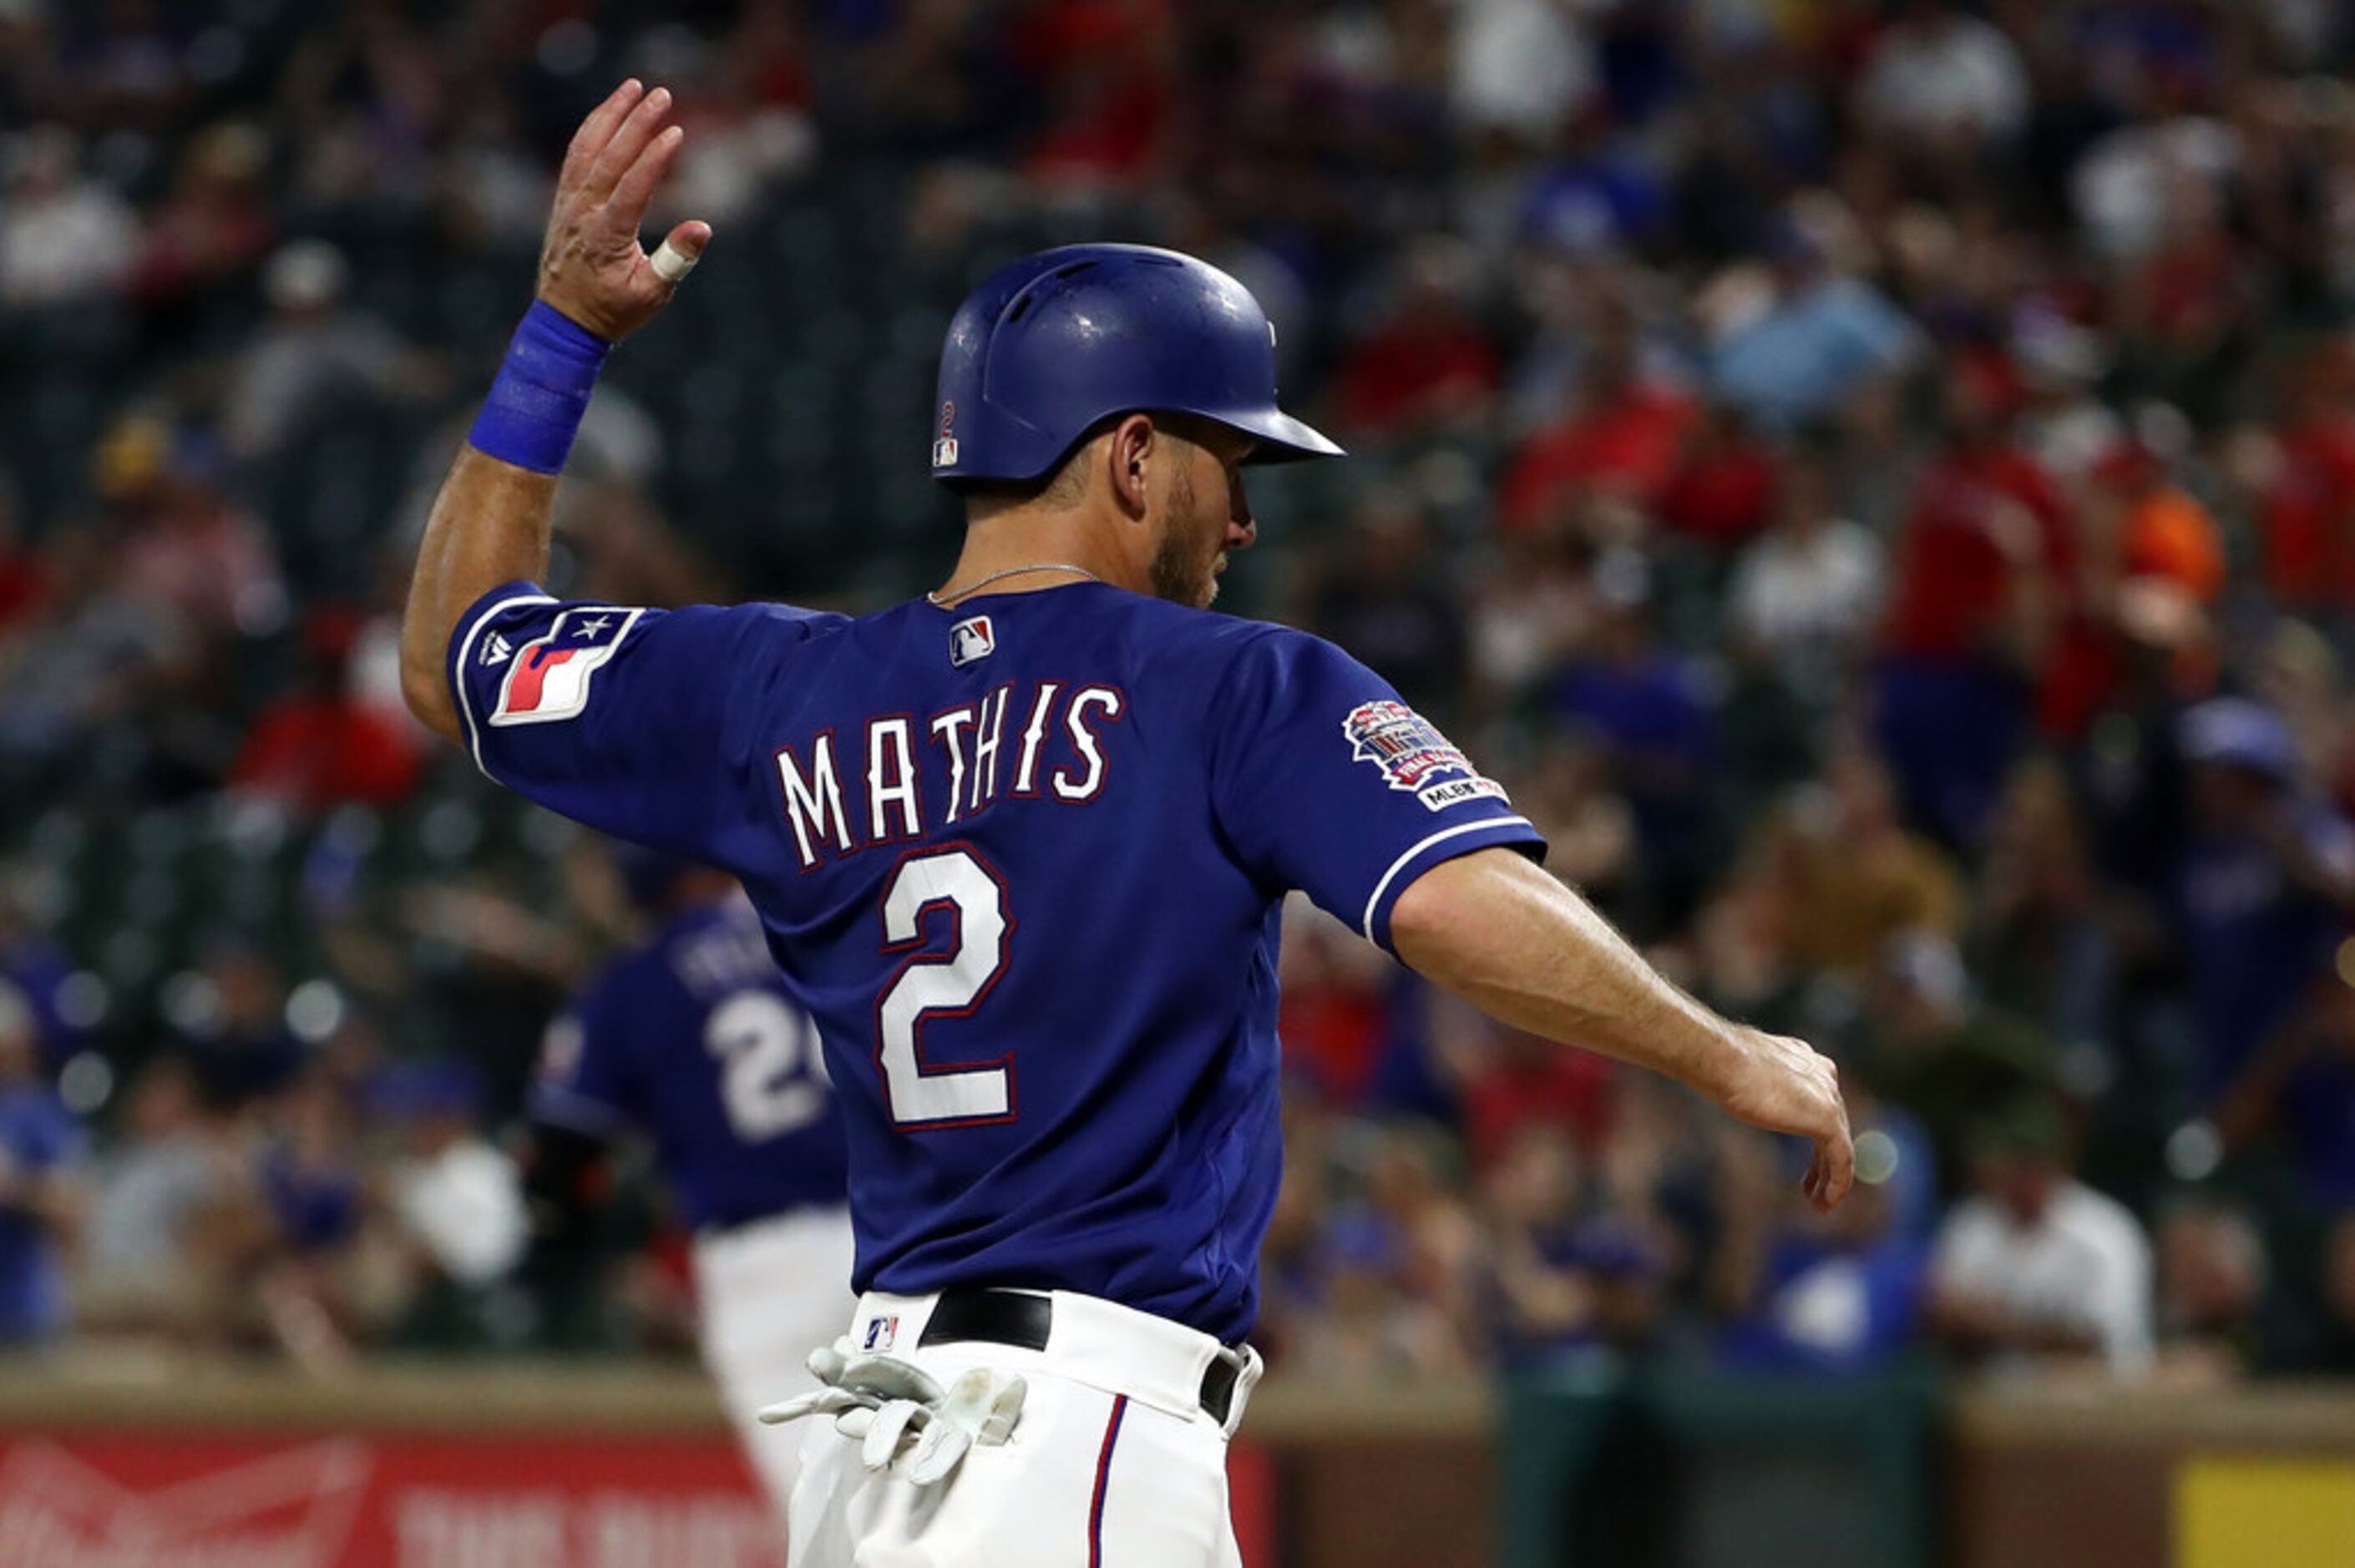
column 491, row 519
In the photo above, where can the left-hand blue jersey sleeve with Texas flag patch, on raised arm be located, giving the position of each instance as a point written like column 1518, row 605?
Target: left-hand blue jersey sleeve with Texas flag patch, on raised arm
column 618, row 717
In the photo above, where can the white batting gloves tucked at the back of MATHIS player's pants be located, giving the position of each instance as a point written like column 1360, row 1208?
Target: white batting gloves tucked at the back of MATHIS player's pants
column 896, row 1409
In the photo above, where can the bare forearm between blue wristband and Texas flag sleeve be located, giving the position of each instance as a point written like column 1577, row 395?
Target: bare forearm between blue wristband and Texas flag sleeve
column 489, row 526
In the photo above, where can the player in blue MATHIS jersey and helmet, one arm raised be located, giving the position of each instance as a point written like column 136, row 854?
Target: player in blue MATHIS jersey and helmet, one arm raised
column 1021, row 849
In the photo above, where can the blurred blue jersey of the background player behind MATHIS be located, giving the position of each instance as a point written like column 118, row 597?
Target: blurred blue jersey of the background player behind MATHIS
column 696, row 1042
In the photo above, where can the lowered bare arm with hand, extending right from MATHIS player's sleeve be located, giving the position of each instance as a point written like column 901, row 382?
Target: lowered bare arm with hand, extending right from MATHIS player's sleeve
column 1523, row 948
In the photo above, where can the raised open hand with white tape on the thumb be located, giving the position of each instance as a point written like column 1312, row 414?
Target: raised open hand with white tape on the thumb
column 592, row 265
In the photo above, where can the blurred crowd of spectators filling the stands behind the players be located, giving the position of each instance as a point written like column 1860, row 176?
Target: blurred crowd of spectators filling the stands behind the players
column 1873, row 477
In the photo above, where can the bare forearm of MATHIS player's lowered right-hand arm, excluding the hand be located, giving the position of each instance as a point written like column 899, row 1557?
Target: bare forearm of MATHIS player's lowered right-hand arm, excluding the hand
column 1530, row 952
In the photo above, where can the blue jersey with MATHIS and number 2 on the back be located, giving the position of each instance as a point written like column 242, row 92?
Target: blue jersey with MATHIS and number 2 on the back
column 1023, row 863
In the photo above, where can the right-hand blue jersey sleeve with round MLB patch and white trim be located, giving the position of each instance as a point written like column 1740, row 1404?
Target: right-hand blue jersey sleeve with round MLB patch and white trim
column 1325, row 780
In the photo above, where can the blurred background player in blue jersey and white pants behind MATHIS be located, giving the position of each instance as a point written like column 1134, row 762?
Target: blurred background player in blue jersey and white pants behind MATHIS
column 694, row 1042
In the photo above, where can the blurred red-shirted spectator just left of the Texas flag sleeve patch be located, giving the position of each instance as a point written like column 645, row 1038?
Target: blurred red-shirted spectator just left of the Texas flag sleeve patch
column 319, row 748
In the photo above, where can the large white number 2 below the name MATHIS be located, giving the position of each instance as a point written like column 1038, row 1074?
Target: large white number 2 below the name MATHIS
column 941, row 988
